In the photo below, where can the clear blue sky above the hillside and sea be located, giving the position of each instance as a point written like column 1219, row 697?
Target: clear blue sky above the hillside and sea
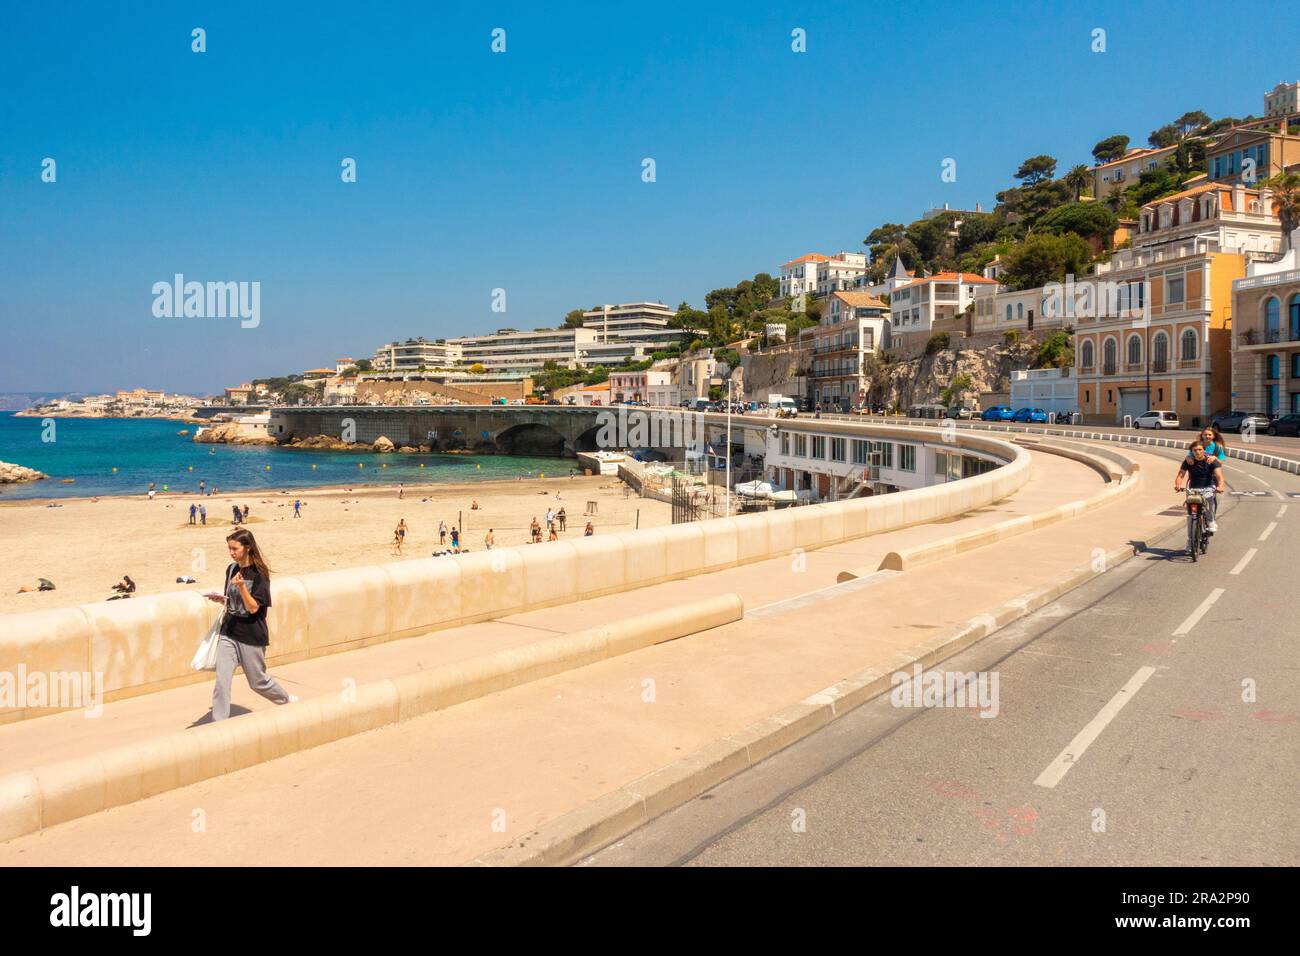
column 518, row 171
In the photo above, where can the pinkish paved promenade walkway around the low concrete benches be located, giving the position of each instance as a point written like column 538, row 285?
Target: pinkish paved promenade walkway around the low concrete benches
column 454, row 785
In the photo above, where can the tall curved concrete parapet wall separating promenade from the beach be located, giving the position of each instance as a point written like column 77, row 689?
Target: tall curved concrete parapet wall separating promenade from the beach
column 146, row 644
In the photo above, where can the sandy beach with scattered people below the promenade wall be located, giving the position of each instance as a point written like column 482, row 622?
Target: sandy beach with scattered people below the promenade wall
column 86, row 547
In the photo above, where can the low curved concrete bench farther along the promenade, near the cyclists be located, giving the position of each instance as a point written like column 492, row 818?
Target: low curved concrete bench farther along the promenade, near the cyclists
column 1123, row 477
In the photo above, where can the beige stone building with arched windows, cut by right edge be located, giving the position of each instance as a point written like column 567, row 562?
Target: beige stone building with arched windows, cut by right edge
column 1267, row 336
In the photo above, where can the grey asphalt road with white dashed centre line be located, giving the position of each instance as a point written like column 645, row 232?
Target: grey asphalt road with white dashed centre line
column 1151, row 717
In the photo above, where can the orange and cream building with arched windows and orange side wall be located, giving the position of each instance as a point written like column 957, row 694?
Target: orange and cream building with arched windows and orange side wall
column 1156, row 332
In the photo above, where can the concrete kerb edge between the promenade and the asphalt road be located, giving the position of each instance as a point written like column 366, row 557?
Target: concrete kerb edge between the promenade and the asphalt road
column 575, row 836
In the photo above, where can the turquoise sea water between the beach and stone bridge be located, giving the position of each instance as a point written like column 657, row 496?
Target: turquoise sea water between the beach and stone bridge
column 144, row 451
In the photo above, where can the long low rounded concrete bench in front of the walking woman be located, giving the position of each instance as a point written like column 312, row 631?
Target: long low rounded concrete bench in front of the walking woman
column 44, row 797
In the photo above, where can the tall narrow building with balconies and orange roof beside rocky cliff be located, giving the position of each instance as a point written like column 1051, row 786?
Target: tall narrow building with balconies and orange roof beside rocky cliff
column 852, row 327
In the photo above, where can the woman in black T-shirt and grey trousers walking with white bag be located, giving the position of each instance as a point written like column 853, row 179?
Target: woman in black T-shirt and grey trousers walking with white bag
column 244, row 628
